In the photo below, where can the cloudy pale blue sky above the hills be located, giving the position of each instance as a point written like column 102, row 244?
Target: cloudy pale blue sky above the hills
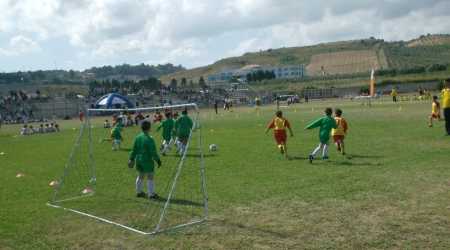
column 79, row 34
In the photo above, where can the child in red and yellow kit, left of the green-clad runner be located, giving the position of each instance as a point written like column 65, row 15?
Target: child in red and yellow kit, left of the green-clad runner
column 279, row 125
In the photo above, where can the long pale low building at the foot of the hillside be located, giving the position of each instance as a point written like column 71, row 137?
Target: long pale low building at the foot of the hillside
column 280, row 72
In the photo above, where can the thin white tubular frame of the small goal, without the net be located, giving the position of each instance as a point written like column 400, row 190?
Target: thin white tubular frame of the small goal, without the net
column 87, row 125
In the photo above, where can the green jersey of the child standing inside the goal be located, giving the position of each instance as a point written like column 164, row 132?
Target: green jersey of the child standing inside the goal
column 144, row 153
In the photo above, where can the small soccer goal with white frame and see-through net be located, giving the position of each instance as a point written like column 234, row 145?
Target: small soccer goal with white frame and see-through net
column 97, row 183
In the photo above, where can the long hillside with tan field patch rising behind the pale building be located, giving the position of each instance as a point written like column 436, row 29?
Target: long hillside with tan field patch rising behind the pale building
column 346, row 57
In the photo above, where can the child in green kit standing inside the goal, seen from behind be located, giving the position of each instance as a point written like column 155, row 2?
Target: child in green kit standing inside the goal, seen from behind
column 143, row 156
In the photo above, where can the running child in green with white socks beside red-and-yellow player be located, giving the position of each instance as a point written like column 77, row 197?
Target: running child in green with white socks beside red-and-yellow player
column 326, row 124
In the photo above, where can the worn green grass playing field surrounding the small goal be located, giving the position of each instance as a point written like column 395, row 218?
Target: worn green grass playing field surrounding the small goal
column 392, row 192
